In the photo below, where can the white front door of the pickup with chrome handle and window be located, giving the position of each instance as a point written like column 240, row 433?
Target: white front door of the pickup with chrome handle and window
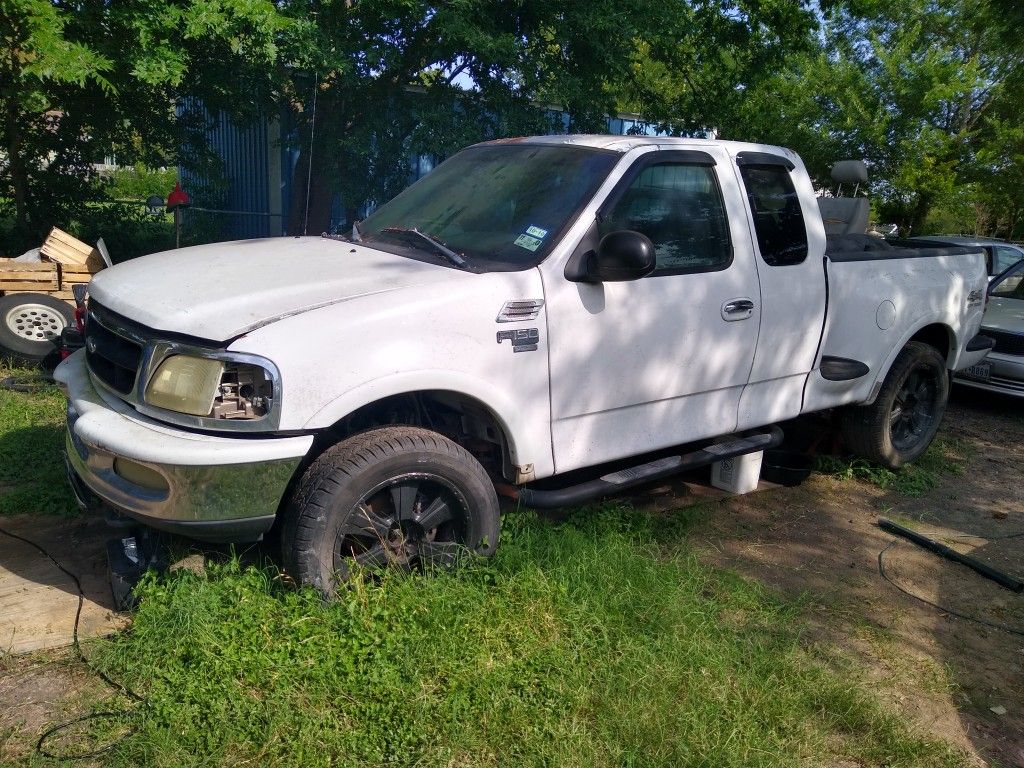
column 643, row 365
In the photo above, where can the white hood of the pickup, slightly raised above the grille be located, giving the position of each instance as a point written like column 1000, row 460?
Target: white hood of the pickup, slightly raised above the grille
column 222, row 291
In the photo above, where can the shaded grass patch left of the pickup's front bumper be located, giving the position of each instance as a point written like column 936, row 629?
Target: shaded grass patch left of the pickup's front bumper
column 32, row 470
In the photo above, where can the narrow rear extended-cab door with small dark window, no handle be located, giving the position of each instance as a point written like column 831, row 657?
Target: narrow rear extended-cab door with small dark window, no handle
column 789, row 239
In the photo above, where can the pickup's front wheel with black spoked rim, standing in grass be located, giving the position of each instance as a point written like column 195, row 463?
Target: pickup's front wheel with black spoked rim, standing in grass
column 396, row 497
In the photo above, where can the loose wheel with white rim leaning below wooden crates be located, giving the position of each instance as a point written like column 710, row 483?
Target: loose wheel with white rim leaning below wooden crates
column 31, row 326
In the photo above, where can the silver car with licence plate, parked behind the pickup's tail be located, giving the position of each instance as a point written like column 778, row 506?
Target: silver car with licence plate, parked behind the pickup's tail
column 1003, row 370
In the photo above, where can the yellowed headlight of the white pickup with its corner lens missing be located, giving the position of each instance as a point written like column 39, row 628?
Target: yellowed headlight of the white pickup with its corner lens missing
column 219, row 390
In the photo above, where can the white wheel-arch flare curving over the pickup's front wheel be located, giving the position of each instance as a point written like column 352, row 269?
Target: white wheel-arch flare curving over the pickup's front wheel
column 528, row 444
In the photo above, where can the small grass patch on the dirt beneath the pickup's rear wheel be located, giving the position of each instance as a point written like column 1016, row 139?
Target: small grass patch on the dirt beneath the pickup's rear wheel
column 945, row 457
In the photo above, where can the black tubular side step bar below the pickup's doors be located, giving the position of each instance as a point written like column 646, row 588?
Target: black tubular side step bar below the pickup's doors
column 627, row 479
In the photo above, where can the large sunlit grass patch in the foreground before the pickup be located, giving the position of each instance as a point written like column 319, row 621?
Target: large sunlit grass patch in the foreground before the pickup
column 602, row 642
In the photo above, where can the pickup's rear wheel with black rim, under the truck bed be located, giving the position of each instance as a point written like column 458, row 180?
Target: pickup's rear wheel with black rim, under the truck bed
column 902, row 423
